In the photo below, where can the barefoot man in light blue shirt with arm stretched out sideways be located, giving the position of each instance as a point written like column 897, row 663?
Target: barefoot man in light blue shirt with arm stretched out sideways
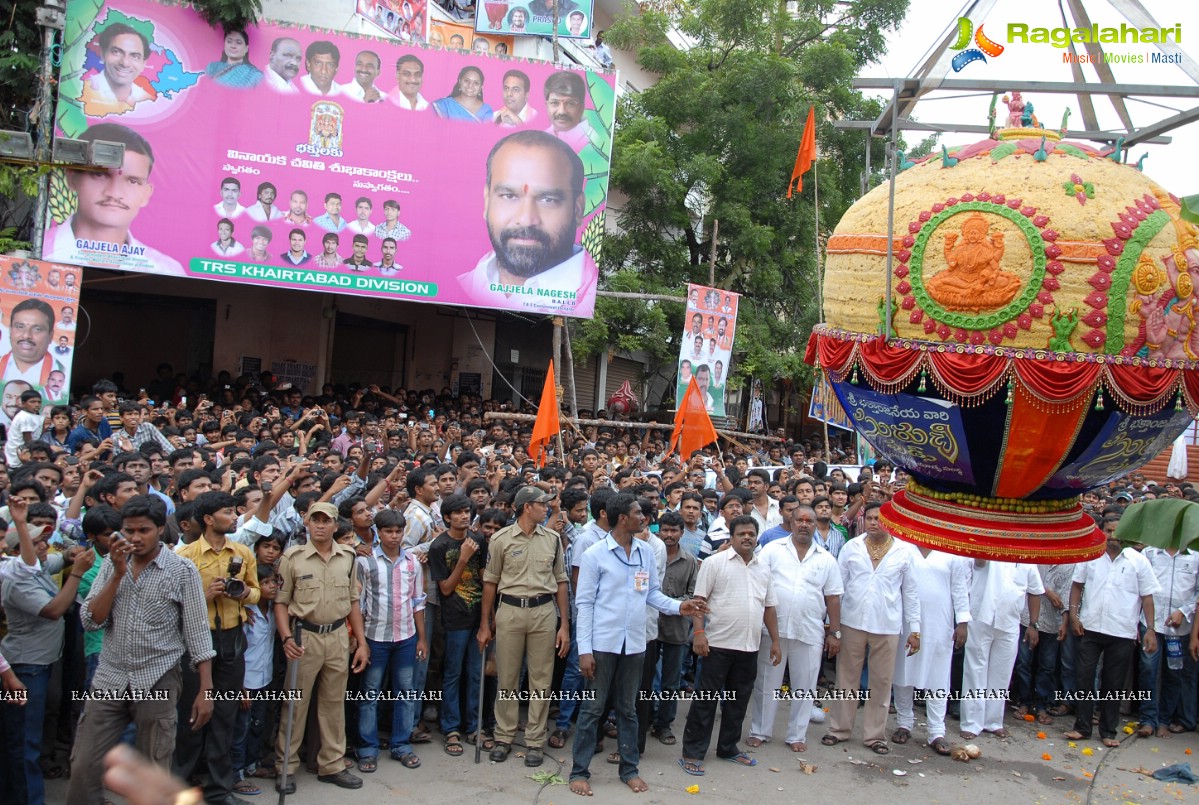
column 623, row 573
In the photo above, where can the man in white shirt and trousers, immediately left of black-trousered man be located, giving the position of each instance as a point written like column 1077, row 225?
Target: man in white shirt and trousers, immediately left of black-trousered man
column 998, row 593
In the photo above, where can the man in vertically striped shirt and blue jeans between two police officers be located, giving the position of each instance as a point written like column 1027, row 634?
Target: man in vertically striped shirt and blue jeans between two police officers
column 394, row 621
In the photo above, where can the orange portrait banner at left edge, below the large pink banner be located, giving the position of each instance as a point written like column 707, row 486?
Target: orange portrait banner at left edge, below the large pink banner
column 39, row 303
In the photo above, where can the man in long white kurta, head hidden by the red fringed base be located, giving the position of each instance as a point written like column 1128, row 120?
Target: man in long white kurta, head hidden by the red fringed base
column 943, row 587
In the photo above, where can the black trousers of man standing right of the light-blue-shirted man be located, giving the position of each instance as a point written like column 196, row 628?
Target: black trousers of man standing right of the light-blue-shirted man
column 728, row 675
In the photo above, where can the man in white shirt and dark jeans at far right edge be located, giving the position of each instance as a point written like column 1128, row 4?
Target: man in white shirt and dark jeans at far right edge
column 1172, row 707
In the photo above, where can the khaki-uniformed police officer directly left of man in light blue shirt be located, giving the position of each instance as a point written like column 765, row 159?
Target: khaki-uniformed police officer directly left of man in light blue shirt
column 527, row 575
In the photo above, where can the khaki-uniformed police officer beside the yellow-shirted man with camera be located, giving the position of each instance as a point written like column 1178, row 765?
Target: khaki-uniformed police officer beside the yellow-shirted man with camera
column 318, row 594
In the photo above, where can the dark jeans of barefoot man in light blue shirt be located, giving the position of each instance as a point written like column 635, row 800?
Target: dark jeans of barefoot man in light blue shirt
column 618, row 676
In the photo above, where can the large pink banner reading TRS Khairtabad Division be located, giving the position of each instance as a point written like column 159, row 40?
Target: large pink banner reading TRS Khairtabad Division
column 330, row 163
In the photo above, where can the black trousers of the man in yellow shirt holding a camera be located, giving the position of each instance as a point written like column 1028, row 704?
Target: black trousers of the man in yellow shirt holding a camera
column 210, row 750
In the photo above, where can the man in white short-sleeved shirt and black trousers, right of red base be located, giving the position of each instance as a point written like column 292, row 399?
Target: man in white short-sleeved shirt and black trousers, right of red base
column 1106, row 600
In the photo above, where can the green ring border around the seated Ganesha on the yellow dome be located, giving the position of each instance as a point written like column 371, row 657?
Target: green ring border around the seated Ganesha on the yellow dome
column 1014, row 309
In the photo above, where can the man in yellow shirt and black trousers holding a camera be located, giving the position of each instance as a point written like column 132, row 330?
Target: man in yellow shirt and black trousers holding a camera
column 230, row 575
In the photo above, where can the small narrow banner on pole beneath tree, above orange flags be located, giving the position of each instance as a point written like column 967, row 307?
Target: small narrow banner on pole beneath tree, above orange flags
column 707, row 349
